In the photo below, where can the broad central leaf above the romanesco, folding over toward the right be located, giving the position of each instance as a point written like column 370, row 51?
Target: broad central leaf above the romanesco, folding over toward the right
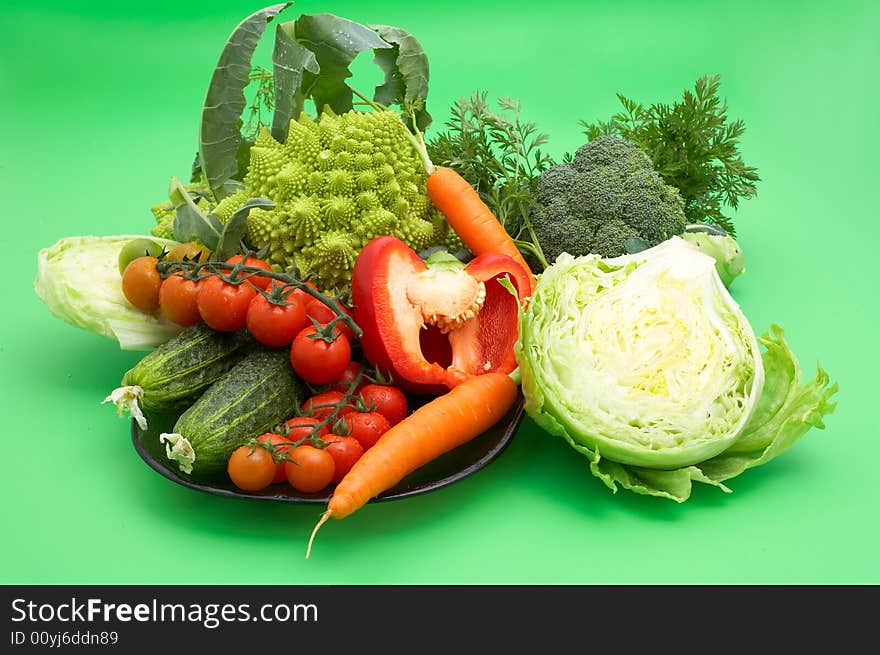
column 335, row 43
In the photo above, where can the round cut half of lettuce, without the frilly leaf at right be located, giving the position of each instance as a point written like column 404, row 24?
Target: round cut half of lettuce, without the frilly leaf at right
column 644, row 358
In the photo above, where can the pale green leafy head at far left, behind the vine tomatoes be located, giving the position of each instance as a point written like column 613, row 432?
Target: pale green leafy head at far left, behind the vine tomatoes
column 79, row 281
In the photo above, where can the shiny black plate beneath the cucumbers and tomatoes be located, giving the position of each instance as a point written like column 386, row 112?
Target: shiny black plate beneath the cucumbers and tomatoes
column 454, row 465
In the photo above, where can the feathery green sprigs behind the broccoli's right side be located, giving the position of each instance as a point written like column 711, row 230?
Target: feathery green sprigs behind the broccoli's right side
column 694, row 147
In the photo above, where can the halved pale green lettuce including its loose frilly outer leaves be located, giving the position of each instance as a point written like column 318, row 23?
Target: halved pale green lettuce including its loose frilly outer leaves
column 646, row 366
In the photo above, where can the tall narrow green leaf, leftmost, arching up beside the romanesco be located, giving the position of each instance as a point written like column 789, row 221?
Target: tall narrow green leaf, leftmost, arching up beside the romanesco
column 219, row 132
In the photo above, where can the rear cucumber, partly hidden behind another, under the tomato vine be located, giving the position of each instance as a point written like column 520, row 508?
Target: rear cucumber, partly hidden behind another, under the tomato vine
column 177, row 372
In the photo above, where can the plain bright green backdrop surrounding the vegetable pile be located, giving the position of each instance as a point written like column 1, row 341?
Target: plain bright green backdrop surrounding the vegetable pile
column 99, row 104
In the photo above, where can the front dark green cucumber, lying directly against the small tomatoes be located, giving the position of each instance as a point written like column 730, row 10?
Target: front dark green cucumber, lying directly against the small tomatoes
column 253, row 397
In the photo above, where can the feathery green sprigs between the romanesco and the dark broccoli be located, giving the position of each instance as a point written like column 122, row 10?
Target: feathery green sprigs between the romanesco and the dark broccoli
column 499, row 154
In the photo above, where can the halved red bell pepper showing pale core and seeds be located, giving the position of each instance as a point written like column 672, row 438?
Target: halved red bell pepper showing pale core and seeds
column 432, row 325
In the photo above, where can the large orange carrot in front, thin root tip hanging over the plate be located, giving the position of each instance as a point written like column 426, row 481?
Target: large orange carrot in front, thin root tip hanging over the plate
column 437, row 427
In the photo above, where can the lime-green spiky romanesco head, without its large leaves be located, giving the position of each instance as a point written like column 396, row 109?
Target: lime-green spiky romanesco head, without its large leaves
column 337, row 182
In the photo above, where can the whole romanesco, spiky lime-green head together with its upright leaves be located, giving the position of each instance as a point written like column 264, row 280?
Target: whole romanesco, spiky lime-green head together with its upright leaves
column 337, row 179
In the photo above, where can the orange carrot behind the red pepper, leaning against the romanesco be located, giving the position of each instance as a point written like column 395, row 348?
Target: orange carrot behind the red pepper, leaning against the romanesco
column 471, row 218
